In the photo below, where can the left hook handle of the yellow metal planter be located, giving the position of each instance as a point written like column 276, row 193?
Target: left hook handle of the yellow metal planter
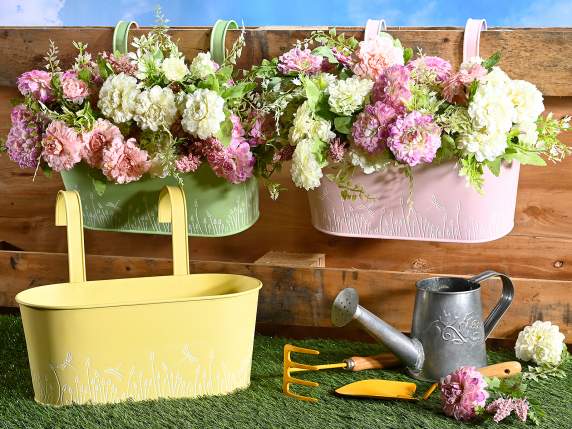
column 68, row 212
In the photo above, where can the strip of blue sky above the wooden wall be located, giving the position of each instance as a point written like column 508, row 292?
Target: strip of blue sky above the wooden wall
column 518, row 13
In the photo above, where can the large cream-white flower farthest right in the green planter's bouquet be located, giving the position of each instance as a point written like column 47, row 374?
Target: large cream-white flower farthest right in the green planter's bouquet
column 203, row 114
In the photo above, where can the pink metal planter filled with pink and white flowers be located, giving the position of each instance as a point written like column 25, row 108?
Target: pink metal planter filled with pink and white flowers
column 387, row 143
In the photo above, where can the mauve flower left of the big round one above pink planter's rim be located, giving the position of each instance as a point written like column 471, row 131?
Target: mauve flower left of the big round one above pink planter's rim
column 371, row 127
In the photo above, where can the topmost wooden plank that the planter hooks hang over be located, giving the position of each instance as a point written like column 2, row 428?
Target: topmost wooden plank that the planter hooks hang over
column 542, row 56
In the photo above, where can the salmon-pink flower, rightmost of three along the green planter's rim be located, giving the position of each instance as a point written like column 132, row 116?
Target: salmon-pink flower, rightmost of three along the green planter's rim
column 124, row 162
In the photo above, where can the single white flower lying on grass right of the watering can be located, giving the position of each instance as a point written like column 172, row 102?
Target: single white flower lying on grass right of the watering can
column 542, row 343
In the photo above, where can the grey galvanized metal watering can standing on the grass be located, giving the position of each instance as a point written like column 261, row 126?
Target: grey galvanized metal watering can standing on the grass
column 448, row 329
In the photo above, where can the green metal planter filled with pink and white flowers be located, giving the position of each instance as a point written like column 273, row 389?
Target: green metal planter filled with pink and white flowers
column 119, row 127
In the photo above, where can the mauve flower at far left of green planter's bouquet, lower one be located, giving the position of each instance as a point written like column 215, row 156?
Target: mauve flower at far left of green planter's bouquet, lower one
column 24, row 138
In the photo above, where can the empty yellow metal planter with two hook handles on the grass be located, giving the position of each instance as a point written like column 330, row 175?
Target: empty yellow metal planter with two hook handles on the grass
column 178, row 336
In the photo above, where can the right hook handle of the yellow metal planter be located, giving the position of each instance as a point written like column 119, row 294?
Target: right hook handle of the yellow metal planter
column 173, row 210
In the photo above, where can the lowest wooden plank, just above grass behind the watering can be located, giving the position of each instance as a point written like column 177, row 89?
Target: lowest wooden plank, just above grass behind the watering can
column 301, row 296
